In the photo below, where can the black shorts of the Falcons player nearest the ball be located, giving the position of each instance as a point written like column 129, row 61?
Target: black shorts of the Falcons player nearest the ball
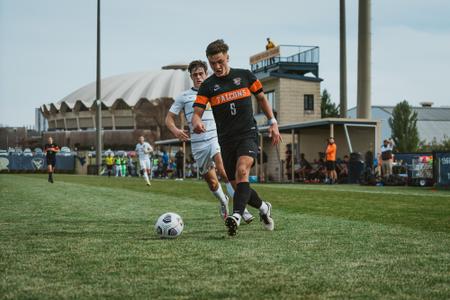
column 233, row 150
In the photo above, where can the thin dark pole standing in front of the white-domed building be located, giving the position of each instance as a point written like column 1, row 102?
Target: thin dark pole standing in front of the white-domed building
column 98, row 112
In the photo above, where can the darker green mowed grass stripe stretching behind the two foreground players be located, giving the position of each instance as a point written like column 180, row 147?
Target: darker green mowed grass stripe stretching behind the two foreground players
column 413, row 211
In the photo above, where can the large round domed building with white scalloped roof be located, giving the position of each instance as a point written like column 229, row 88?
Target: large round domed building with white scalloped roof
column 133, row 104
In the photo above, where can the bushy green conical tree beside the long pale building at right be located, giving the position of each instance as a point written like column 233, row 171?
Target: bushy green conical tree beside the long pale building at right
column 404, row 128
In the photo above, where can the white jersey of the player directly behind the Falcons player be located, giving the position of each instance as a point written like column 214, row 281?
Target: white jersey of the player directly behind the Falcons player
column 184, row 103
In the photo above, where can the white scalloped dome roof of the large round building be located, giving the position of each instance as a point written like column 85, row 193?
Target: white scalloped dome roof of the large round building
column 130, row 88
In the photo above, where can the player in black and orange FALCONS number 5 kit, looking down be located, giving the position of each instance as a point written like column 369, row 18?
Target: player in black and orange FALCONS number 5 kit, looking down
column 229, row 92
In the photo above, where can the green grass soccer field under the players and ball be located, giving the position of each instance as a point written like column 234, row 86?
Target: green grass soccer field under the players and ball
column 90, row 237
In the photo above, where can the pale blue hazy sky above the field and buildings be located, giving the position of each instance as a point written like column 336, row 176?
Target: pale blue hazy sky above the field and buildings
column 48, row 47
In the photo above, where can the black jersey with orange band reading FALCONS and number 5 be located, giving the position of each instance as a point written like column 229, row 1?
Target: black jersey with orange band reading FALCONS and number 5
column 231, row 103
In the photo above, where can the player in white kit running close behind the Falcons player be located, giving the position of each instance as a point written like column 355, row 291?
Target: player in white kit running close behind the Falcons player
column 205, row 146
